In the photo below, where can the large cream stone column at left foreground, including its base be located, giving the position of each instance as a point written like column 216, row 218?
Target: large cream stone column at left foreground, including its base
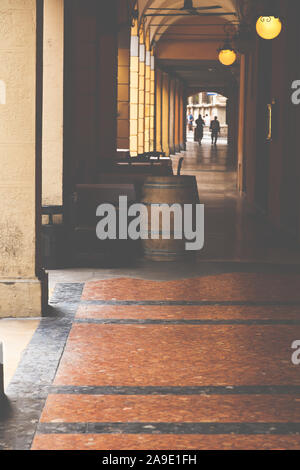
column 21, row 291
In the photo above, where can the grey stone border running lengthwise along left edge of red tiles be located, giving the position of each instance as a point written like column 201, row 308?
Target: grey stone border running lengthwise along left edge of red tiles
column 29, row 387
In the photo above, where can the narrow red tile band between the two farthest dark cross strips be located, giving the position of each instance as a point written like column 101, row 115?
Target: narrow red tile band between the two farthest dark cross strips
column 188, row 312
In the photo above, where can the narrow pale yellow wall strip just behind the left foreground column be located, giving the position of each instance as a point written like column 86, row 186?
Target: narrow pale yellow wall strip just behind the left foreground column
column 53, row 101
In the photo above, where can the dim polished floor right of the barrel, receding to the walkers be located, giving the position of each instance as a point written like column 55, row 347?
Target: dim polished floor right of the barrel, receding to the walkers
column 233, row 232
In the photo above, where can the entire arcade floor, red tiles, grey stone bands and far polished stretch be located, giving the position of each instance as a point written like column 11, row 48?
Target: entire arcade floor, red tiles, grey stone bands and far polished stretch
column 170, row 355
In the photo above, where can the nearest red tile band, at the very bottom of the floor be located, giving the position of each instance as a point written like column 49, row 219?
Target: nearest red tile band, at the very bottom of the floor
column 164, row 442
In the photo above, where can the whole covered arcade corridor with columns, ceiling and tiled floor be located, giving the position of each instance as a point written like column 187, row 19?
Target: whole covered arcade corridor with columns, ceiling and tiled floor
column 196, row 353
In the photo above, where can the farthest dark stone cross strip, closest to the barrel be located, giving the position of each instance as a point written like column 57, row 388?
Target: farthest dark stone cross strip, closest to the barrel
column 222, row 303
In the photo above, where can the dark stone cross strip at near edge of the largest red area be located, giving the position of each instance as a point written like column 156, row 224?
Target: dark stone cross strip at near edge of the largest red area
column 196, row 390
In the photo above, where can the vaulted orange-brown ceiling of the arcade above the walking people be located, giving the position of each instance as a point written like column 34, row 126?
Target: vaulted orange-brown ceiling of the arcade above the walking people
column 186, row 44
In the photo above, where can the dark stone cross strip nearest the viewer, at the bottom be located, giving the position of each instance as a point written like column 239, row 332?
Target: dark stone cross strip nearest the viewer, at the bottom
column 170, row 428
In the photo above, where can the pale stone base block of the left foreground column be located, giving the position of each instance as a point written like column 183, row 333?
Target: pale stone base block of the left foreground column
column 21, row 298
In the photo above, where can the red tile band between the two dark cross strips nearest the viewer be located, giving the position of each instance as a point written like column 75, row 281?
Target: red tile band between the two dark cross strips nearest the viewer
column 168, row 408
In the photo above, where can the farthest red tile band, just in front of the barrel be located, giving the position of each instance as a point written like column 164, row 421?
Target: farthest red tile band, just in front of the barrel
column 229, row 286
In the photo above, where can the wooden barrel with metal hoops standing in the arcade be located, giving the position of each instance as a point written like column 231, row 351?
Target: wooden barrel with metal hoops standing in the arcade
column 167, row 190
